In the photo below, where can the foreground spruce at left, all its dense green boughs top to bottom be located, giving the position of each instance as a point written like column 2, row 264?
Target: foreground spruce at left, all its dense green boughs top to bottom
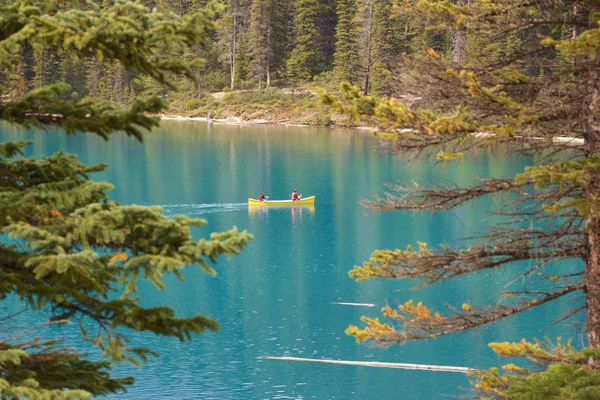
column 67, row 250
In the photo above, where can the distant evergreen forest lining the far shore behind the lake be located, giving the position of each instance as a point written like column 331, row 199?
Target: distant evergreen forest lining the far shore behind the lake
column 259, row 44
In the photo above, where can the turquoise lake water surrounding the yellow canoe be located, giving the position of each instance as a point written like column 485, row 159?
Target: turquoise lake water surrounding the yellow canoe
column 276, row 298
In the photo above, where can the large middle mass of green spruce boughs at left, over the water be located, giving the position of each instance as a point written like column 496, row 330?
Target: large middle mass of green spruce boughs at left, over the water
column 78, row 248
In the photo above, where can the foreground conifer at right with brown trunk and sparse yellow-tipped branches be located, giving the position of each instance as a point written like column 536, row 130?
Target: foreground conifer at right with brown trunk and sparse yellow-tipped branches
column 536, row 87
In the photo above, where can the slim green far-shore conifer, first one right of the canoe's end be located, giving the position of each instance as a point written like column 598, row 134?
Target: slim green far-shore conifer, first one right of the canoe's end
column 346, row 60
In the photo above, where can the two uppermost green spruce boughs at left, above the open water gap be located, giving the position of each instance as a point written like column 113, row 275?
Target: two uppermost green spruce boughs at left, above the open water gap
column 96, row 32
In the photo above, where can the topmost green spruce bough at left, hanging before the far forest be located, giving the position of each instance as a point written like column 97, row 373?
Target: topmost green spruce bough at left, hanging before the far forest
column 100, row 32
